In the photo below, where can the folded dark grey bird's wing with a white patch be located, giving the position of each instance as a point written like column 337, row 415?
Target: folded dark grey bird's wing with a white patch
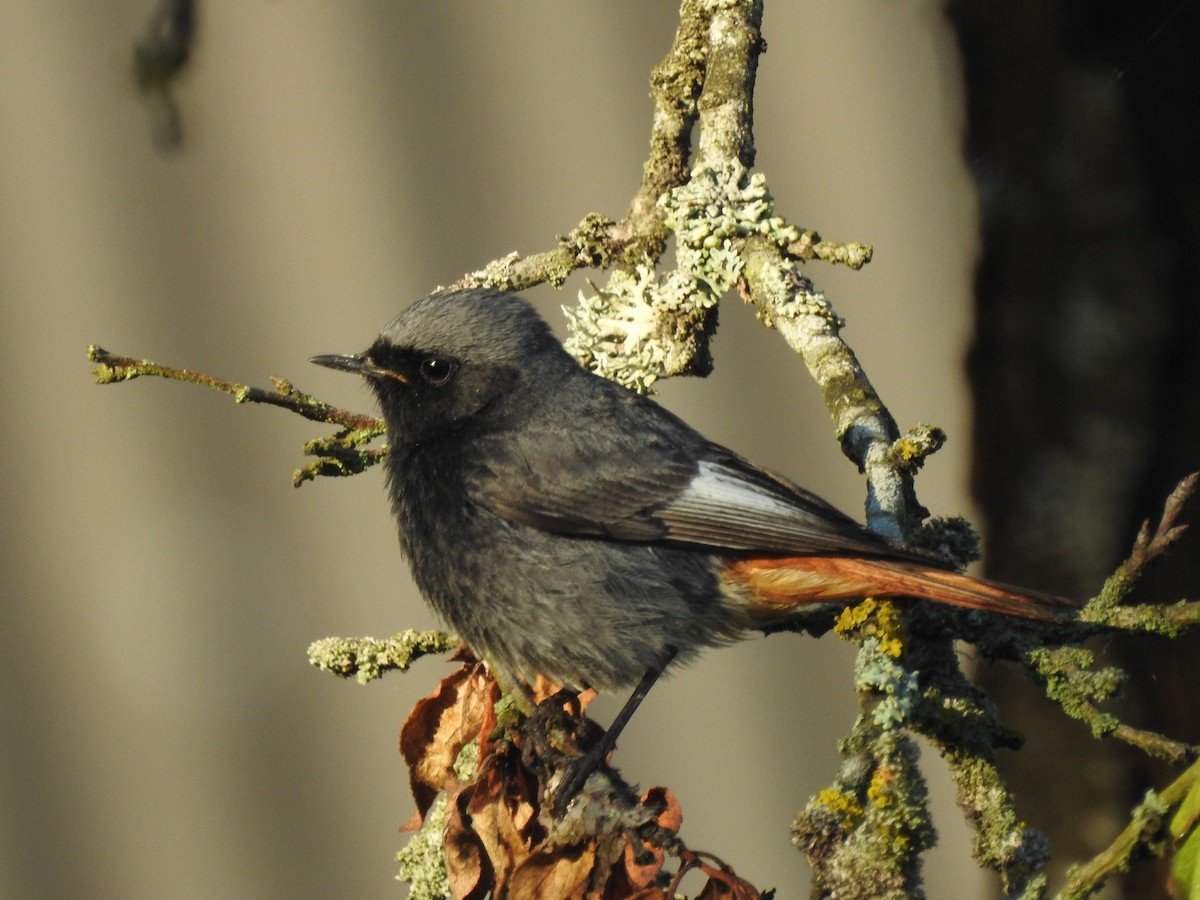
column 656, row 481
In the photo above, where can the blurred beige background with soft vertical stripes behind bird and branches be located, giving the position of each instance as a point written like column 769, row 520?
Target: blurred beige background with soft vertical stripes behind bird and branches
column 161, row 733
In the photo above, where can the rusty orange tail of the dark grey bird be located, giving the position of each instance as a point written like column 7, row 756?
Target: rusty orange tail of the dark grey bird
column 777, row 586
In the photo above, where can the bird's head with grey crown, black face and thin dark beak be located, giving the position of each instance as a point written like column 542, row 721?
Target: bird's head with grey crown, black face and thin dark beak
column 455, row 359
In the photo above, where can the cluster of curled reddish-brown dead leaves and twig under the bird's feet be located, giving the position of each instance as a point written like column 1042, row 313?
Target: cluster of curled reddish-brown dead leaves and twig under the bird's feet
column 501, row 839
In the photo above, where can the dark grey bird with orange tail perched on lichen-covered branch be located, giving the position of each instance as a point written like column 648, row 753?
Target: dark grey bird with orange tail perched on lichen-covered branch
column 568, row 527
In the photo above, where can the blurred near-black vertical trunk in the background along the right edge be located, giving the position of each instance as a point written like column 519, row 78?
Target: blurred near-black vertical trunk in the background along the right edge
column 1084, row 136
